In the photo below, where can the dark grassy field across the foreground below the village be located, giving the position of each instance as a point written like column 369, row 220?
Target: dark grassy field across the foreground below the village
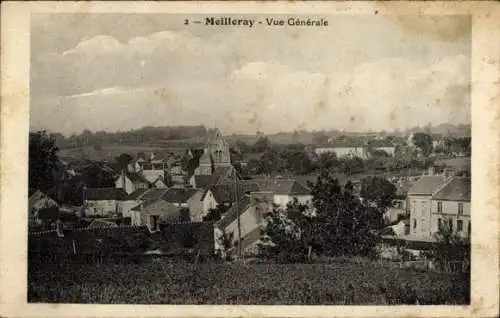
column 164, row 281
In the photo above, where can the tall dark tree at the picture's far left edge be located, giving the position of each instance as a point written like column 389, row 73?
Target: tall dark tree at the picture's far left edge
column 42, row 160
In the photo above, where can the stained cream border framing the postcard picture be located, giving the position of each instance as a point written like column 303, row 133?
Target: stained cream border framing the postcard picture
column 485, row 169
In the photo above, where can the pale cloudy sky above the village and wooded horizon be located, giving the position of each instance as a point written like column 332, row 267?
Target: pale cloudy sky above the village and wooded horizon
column 117, row 72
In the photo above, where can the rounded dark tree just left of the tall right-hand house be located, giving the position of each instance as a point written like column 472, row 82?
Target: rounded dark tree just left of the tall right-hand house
column 378, row 191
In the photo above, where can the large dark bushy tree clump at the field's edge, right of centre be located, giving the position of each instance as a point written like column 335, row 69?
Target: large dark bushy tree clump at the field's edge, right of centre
column 341, row 225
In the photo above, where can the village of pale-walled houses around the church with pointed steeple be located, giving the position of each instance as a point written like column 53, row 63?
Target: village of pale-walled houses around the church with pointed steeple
column 150, row 191
